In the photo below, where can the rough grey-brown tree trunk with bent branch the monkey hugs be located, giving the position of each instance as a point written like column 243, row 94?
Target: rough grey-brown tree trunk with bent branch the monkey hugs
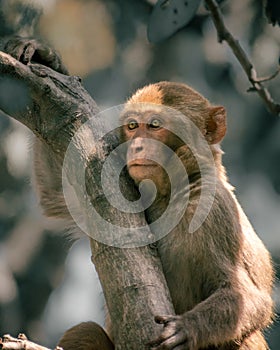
column 54, row 107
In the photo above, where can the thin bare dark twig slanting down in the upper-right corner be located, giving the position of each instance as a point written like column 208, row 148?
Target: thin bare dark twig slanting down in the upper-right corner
column 225, row 35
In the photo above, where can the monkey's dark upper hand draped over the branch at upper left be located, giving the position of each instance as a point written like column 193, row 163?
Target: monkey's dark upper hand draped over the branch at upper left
column 29, row 50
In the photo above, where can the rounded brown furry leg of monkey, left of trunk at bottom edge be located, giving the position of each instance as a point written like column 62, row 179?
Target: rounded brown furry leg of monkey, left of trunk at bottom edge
column 86, row 336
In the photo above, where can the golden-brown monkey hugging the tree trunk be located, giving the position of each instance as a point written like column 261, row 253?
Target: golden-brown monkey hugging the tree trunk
column 220, row 277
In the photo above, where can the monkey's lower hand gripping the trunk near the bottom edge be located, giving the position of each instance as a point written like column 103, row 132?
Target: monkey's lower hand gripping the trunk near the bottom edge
column 175, row 334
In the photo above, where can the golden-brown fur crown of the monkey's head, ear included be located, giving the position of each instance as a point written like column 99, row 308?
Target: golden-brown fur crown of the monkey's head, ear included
column 210, row 119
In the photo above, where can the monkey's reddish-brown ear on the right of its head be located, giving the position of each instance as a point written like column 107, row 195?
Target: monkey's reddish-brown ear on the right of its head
column 216, row 124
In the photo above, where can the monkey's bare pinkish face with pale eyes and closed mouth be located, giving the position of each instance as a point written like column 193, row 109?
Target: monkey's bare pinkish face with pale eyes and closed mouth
column 147, row 153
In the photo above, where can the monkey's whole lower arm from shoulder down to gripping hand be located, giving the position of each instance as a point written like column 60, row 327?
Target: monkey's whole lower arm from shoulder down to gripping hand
column 235, row 268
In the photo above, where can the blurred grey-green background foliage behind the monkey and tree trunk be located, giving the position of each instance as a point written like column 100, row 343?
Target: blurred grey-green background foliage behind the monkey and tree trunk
column 46, row 283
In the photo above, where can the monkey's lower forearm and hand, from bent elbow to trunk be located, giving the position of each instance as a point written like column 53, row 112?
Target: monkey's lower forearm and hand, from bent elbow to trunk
column 225, row 317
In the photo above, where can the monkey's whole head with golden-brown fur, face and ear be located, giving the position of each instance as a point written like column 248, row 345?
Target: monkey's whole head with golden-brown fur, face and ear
column 149, row 116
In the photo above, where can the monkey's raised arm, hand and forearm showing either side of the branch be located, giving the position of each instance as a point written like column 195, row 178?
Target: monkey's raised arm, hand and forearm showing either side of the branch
column 47, row 169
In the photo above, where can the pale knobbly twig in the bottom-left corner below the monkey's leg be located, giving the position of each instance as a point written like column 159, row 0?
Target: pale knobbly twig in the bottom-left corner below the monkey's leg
column 20, row 343
